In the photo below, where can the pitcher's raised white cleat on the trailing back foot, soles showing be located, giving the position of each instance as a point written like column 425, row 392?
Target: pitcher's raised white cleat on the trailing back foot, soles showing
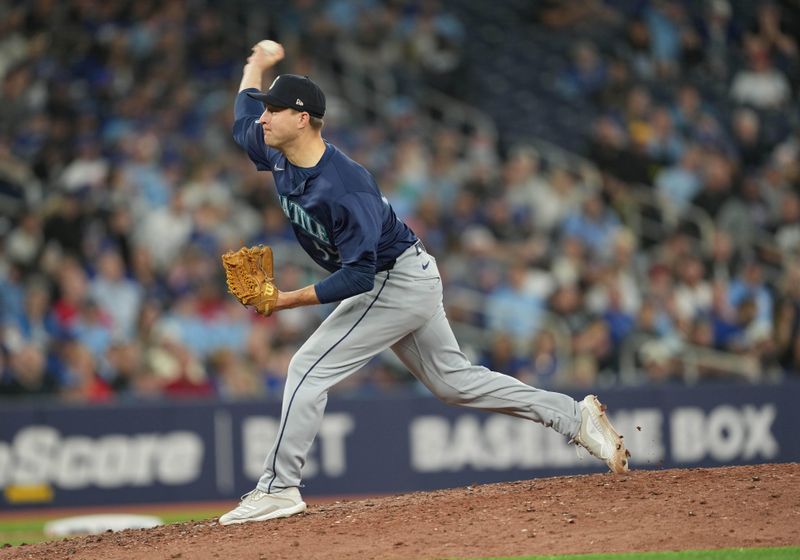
column 599, row 437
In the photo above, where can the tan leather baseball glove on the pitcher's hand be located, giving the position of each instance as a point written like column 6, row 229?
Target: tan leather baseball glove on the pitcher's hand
column 248, row 273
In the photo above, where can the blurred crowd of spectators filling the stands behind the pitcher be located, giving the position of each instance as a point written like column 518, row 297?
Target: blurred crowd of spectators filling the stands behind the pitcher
column 120, row 186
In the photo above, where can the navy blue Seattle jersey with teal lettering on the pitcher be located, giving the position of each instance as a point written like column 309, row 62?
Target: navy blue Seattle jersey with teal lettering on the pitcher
column 337, row 211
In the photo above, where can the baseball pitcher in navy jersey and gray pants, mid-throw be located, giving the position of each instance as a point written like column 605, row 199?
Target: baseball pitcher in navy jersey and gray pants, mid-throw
column 388, row 286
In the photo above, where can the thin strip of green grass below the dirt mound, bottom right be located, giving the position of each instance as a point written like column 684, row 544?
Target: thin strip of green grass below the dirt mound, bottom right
column 791, row 553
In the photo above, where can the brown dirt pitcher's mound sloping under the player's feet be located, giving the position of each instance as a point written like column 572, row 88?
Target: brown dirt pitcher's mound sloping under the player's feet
column 748, row 506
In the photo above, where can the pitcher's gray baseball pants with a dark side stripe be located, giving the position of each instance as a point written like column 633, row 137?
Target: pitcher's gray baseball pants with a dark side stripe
column 404, row 312
